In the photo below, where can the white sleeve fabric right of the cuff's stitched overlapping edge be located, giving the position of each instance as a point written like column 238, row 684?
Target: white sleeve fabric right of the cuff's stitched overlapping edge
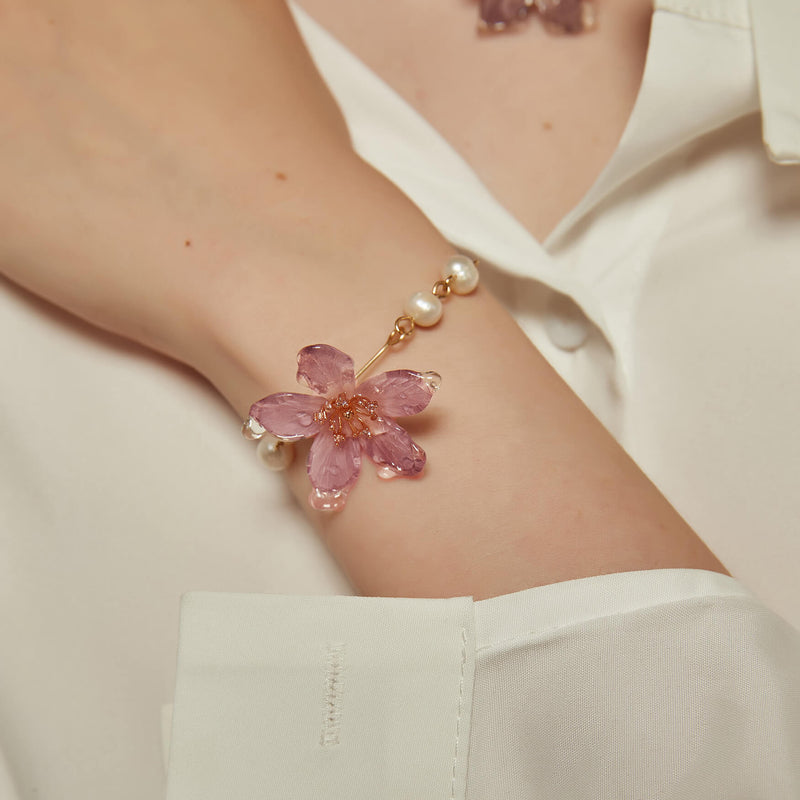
column 678, row 686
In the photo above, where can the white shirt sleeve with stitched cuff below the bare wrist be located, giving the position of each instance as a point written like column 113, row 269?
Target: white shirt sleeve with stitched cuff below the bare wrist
column 661, row 684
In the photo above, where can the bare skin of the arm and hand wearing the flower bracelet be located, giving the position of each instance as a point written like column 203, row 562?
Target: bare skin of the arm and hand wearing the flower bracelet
column 134, row 129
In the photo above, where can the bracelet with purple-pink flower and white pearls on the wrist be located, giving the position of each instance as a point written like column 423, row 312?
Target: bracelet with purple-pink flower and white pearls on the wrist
column 347, row 419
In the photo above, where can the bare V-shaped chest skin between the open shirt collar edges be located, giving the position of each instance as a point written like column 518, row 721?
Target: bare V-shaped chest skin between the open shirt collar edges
column 537, row 116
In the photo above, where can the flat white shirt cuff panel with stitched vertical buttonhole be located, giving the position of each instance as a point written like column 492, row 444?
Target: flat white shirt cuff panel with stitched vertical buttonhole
column 310, row 697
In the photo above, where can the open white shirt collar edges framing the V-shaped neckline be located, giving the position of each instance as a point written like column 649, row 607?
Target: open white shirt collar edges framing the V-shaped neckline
column 700, row 67
